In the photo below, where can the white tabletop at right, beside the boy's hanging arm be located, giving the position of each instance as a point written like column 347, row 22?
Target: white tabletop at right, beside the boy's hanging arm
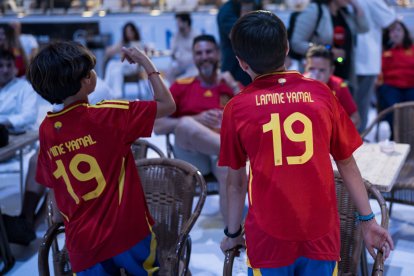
column 379, row 168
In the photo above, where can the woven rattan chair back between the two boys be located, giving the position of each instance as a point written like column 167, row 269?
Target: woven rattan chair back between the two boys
column 170, row 186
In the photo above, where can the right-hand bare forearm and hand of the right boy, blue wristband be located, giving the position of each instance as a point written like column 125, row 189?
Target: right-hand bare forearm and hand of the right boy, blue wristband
column 375, row 237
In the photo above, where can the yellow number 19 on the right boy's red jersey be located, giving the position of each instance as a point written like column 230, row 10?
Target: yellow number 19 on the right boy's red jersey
column 305, row 136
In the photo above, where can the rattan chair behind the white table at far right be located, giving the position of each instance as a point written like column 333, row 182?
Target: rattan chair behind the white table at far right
column 403, row 131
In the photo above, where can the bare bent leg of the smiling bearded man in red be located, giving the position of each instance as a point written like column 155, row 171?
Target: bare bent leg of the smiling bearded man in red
column 193, row 136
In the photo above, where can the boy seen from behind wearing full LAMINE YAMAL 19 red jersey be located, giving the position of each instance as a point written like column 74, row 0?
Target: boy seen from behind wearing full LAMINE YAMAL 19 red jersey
column 287, row 125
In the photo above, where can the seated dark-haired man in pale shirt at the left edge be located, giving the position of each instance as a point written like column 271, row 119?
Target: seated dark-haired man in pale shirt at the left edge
column 18, row 101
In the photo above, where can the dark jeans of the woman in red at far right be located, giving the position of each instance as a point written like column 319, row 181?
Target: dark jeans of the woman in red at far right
column 389, row 95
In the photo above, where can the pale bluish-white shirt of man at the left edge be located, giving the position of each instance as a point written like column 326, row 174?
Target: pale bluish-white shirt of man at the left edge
column 18, row 104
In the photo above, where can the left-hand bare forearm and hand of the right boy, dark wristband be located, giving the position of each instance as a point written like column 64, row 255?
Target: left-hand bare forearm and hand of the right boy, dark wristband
column 236, row 195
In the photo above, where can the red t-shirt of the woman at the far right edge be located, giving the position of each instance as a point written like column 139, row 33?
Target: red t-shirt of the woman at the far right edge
column 398, row 67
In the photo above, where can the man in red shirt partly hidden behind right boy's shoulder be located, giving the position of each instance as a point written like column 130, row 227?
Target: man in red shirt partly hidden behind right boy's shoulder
column 320, row 66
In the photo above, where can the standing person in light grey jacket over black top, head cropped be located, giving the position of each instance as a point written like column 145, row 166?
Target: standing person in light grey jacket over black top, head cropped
column 340, row 21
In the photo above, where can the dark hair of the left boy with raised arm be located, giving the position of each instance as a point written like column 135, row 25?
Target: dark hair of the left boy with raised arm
column 56, row 72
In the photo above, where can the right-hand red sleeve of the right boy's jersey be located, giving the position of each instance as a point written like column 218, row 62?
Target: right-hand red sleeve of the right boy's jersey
column 345, row 138
